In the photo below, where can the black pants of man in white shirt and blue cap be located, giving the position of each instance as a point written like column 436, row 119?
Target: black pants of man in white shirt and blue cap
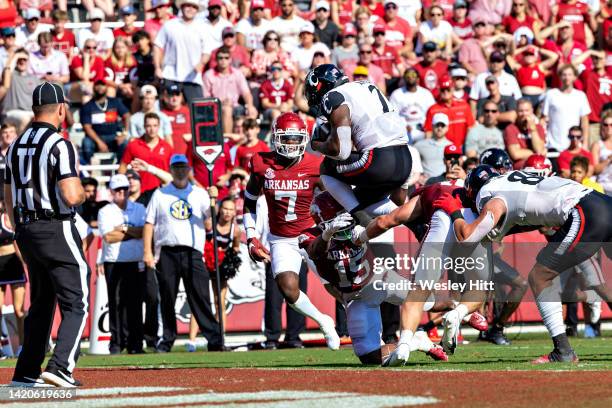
column 186, row 263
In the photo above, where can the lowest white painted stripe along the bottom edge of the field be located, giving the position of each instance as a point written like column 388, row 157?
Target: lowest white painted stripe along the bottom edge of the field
column 270, row 399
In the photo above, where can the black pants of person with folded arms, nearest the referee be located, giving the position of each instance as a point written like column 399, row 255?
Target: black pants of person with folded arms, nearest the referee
column 125, row 284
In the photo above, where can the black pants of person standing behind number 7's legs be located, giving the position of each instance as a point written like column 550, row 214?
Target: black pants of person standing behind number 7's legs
column 296, row 322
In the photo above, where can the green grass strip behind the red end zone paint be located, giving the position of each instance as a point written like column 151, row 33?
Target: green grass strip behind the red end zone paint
column 594, row 354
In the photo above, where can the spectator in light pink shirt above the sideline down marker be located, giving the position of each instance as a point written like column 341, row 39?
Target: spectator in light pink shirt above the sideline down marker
column 228, row 84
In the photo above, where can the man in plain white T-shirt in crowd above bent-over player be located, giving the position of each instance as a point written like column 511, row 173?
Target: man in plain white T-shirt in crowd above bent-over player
column 563, row 108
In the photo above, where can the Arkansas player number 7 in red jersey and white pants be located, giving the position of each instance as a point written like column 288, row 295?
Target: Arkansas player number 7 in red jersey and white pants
column 287, row 177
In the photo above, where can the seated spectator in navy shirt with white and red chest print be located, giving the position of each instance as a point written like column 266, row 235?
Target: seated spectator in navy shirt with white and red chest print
column 100, row 119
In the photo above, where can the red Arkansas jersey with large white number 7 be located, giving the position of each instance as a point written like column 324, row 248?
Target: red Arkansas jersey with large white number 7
column 288, row 191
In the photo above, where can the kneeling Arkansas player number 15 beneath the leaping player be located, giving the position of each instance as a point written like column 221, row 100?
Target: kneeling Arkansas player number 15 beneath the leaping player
column 348, row 277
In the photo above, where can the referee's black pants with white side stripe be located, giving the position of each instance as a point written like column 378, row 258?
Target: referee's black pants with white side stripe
column 58, row 273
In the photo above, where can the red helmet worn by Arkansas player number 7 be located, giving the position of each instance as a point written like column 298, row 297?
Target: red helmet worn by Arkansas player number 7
column 290, row 135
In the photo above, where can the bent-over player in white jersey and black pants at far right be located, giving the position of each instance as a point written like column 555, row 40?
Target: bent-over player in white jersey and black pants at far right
column 582, row 217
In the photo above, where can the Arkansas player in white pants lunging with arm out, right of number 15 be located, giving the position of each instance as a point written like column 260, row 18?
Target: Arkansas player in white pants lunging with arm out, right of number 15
column 437, row 243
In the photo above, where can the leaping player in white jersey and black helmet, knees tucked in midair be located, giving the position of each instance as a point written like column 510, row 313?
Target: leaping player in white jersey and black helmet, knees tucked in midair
column 364, row 141
